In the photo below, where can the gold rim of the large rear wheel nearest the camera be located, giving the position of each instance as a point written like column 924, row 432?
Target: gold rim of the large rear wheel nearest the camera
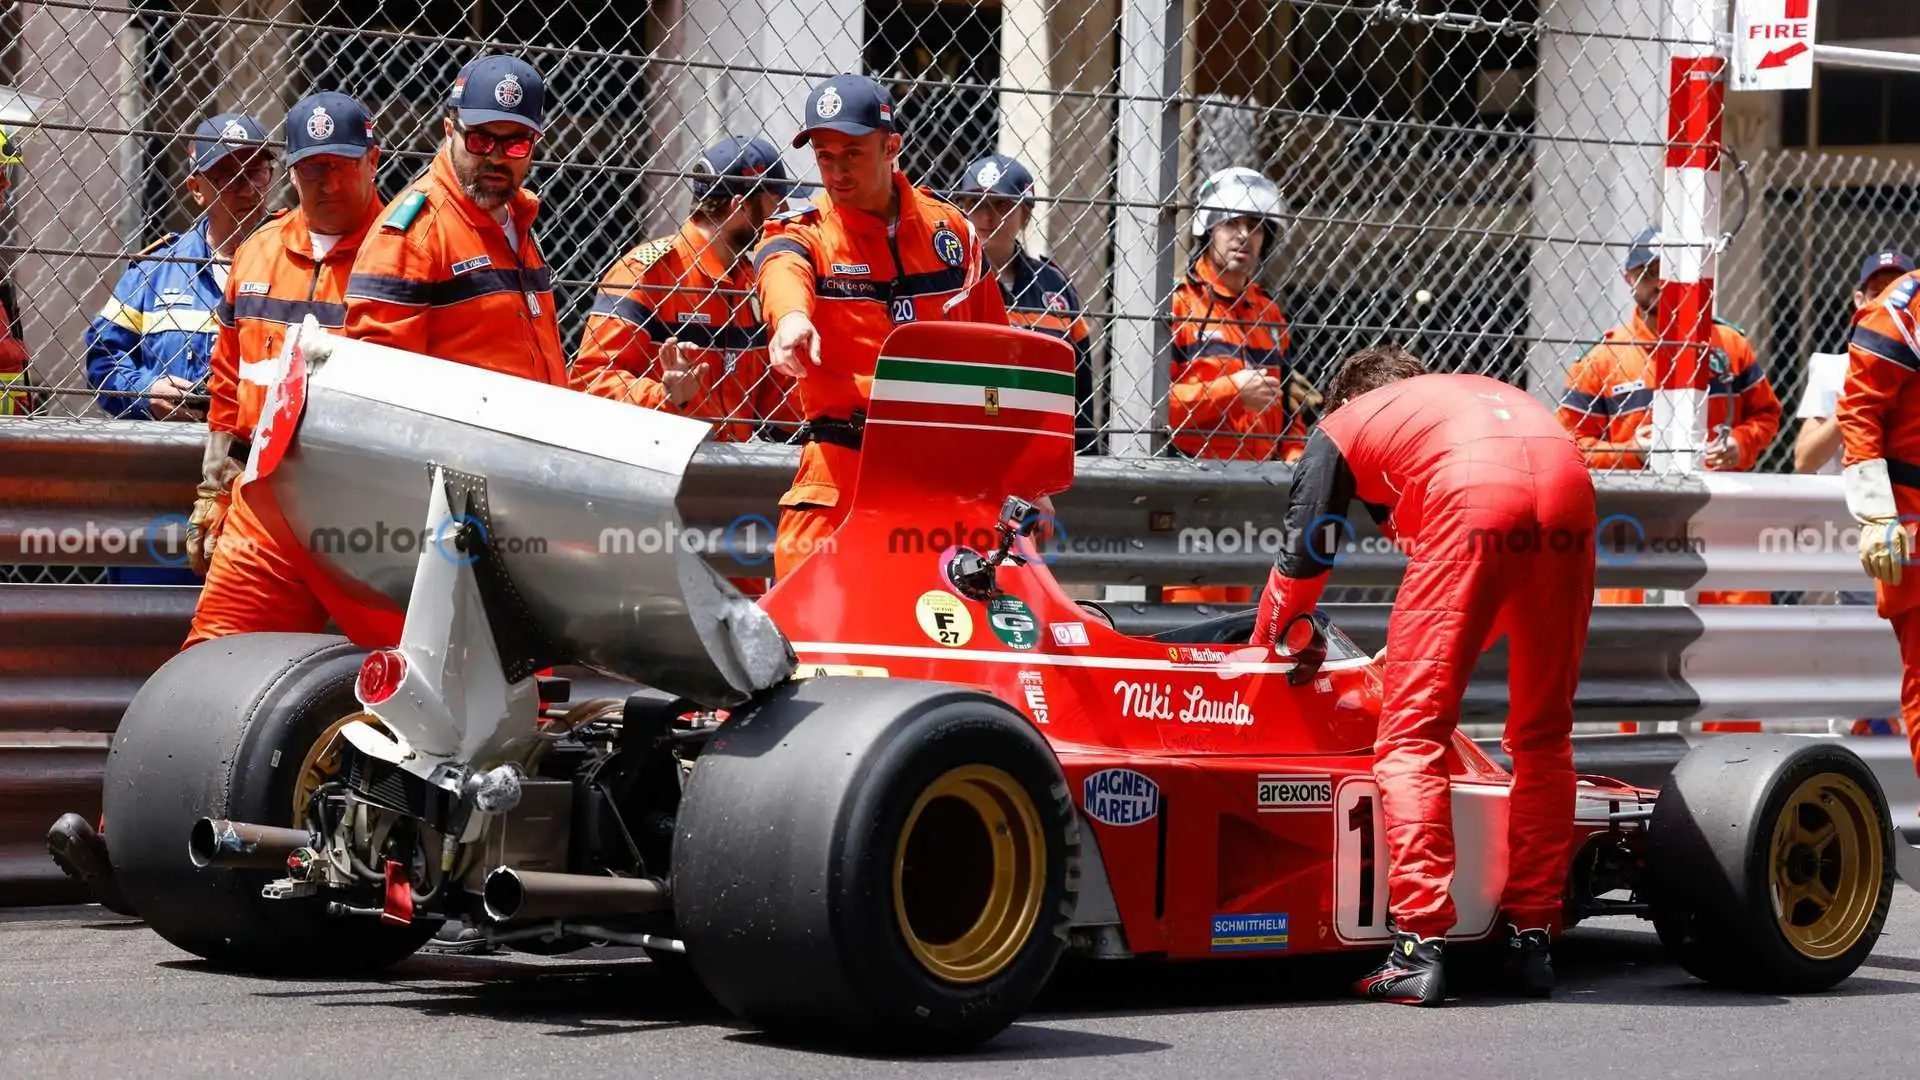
column 969, row 875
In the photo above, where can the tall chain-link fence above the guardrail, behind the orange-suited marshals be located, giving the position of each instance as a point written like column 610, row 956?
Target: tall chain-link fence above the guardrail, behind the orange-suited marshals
column 1462, row 178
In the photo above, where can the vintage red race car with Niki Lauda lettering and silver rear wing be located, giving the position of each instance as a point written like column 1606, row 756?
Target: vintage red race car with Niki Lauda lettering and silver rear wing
column 888, row 798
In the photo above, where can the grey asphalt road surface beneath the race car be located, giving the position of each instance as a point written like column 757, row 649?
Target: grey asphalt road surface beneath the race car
column 85, row 994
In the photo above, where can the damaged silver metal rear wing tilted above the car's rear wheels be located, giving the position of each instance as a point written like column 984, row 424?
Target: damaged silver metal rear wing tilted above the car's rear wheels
column 577, row 495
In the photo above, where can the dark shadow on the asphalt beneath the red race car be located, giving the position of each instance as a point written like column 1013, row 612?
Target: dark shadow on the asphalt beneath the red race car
column 613, row 991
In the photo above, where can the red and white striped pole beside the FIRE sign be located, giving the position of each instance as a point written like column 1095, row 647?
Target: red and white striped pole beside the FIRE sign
column 1691, row 233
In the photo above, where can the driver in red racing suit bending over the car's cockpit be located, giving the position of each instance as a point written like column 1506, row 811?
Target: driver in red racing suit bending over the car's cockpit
column 1495, row 506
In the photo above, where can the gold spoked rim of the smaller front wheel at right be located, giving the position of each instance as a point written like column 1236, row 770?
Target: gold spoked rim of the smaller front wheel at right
column 1825, row 866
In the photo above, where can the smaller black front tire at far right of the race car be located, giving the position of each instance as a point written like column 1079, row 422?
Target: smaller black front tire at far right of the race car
column 1771, row 864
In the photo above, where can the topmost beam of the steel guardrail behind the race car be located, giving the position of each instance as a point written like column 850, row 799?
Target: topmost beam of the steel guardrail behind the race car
column 1124, row 522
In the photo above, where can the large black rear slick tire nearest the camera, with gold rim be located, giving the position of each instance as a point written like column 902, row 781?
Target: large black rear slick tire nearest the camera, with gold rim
column 882, row 864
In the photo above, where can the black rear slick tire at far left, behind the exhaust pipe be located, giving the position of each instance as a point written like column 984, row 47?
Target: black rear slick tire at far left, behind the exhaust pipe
column 226, row 731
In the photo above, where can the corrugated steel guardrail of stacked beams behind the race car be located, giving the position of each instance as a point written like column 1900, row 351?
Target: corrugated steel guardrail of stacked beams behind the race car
column 74, row 656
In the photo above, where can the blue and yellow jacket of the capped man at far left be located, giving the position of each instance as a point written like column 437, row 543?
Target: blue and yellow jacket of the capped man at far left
column 158, row 322
